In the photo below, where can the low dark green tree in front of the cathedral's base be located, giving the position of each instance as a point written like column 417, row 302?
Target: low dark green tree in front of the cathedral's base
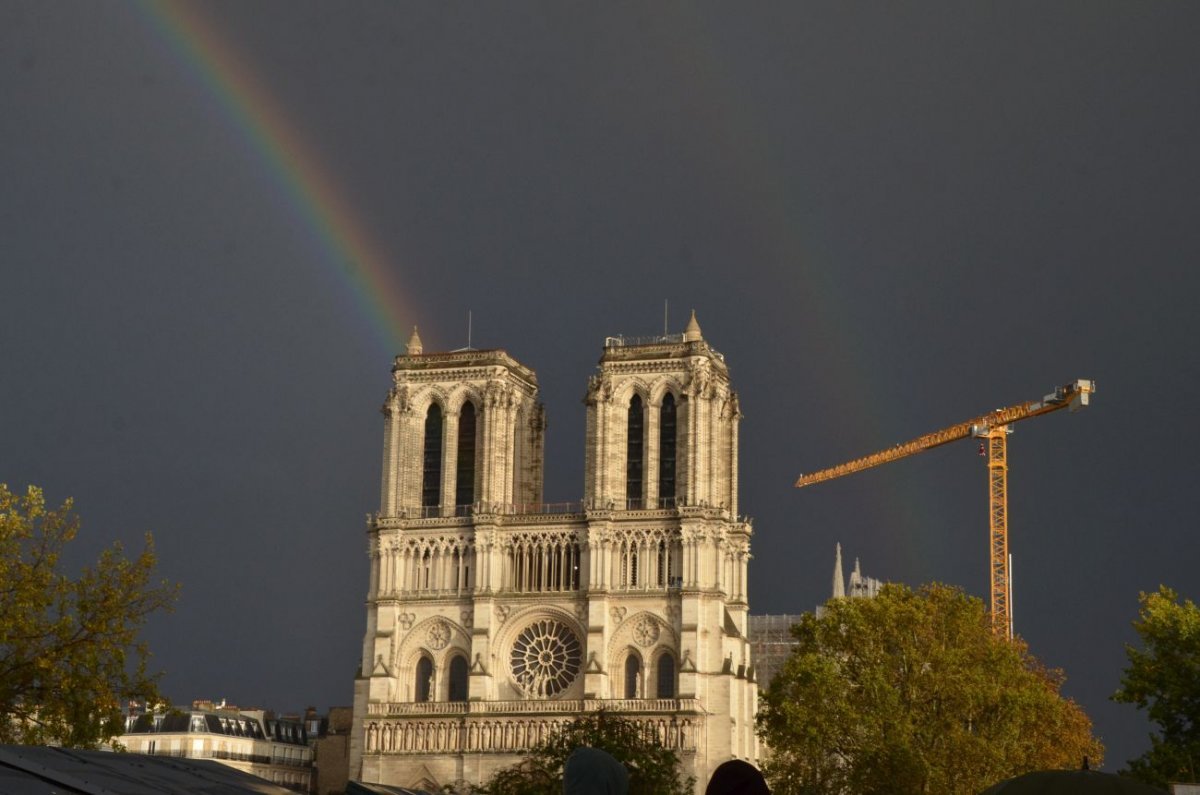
column 653, row 769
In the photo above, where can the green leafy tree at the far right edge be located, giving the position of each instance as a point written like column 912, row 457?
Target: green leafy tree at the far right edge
column 1165, row 680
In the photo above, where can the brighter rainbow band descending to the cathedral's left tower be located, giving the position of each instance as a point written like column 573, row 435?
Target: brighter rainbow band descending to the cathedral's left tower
column 305, row 187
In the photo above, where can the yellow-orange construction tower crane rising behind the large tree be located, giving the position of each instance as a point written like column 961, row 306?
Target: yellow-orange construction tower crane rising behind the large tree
column 994, row 429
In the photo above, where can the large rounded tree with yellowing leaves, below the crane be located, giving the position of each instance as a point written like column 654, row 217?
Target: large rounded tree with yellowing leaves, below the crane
column 913, row 692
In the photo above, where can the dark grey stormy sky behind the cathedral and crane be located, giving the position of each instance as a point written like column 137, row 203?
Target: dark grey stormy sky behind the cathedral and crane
column 889, row 219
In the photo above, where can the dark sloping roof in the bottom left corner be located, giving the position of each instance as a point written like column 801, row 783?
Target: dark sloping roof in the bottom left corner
column 40, row 770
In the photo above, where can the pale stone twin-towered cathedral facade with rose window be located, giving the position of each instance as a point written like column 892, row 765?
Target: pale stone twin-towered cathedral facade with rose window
column 494, row 619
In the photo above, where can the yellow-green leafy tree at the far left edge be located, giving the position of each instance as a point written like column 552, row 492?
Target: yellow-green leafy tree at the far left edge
column 69, row 647
